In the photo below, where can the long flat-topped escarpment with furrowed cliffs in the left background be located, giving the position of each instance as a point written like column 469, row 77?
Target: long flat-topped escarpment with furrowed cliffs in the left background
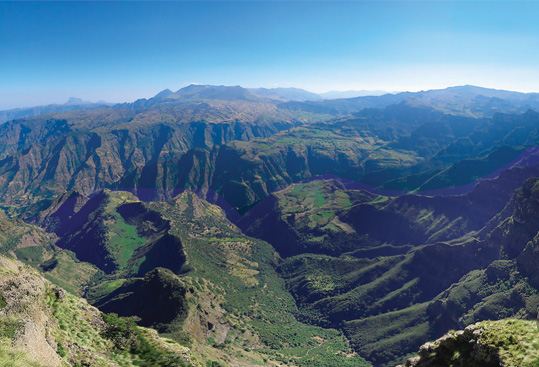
column 125, row 146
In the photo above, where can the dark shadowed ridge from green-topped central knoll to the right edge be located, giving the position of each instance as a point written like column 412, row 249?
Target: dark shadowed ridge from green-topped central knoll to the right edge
column 325, row 216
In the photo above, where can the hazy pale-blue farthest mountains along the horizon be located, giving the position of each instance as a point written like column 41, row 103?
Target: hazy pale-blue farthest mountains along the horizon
column 468, row 99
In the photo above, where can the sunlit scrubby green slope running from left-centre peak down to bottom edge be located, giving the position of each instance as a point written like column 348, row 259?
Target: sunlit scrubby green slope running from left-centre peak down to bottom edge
column 256, row 299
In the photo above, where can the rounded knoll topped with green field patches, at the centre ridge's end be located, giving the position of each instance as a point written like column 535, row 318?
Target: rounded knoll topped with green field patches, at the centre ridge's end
column 305, row 217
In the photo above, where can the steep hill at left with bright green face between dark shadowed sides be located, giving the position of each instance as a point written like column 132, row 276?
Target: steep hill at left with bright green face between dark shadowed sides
column 113, row 231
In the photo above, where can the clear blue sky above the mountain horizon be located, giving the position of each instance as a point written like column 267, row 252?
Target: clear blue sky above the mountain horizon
column 121, row 51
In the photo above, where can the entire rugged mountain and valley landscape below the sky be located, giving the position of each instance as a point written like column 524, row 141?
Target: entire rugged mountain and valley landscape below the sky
column 266, row 227
